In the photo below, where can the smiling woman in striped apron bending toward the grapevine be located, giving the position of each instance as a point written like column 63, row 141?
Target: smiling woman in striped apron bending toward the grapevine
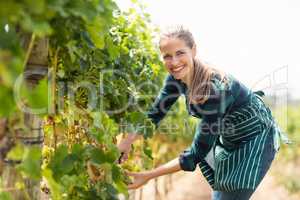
column 237, row 139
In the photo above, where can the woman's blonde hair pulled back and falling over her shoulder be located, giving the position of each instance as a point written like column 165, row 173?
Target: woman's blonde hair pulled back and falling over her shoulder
column 200, row 87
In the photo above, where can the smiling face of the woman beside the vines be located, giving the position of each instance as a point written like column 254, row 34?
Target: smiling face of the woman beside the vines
column 177, row 57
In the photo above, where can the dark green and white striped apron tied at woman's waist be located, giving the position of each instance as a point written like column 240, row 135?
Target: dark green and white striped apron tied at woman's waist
column 235, row 160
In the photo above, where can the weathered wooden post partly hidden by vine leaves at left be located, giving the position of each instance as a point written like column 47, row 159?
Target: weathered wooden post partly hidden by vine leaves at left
column 36, row 67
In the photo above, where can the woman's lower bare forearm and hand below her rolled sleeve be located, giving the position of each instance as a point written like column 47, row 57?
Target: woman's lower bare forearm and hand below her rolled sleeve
column 142, row 178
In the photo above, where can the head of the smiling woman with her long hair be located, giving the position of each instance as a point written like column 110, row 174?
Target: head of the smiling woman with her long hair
column 178, row 48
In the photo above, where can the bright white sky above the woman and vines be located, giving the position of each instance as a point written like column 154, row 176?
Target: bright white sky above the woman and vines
column 258, row 41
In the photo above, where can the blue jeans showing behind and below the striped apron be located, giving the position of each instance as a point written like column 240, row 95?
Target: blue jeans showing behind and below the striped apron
column 245, row 194
